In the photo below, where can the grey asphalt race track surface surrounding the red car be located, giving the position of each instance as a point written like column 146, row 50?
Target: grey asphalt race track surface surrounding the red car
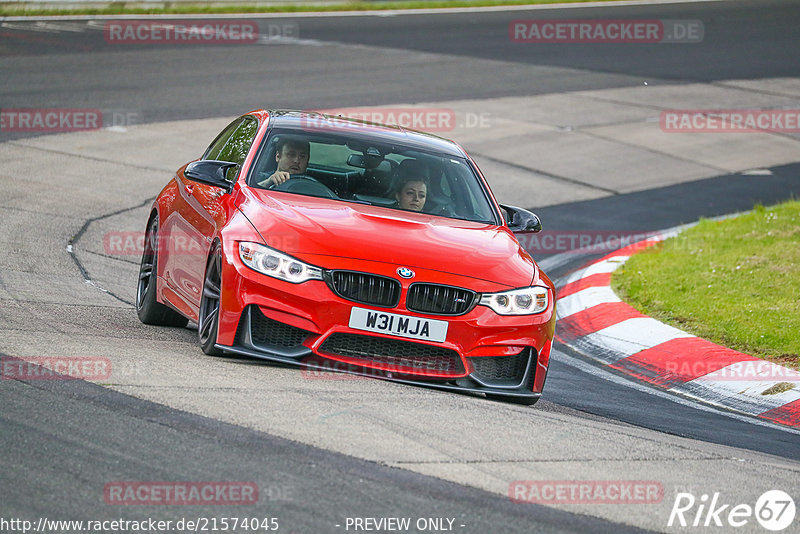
column 567, row 131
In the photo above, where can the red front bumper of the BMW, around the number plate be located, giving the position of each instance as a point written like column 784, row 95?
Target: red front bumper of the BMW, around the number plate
column 308, row 324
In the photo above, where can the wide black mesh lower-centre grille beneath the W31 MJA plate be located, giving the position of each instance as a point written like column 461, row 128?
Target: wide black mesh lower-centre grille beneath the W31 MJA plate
column 393, row 352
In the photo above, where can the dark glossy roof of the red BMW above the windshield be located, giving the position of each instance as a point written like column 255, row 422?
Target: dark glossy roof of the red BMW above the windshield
column 309, row 121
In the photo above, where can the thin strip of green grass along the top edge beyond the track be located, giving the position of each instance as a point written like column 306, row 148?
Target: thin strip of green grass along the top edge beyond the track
column 121, row 8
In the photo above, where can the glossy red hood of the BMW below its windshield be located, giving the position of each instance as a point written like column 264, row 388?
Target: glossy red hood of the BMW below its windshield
column 307, row 226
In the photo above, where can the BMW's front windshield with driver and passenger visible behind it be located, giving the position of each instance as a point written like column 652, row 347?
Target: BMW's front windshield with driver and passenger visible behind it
column 361, row 170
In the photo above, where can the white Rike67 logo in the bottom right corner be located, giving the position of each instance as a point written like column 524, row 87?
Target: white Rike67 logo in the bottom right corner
column 774, row 510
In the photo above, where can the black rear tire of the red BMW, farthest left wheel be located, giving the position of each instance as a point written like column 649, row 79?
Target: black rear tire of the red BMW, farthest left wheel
column 149, row 310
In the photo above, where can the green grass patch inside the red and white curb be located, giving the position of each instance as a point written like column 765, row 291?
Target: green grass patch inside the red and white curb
column 735, row 282
